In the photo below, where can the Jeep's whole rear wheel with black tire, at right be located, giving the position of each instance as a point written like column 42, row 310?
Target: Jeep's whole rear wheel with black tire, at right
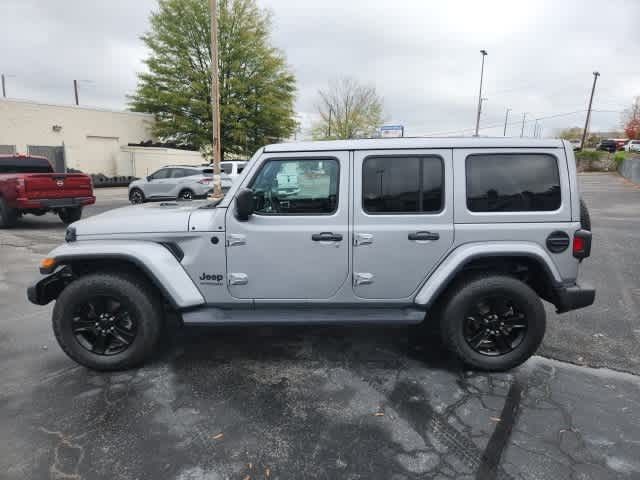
column 457, row 321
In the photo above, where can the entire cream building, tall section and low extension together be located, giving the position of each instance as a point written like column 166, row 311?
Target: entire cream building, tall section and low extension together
column 93, row 140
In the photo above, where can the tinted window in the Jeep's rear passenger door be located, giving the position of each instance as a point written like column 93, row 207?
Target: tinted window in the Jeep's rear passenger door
column 402, row 184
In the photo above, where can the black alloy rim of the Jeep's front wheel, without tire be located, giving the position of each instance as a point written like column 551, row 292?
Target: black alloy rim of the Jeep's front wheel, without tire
column 104, row 326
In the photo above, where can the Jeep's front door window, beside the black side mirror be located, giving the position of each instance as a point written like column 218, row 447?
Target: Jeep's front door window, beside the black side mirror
column 297, row 187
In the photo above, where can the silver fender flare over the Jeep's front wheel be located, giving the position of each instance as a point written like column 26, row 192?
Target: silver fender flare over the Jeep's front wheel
column 154, row 259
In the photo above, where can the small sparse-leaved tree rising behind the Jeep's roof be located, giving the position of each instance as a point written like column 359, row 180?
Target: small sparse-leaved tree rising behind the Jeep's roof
column 348, row 110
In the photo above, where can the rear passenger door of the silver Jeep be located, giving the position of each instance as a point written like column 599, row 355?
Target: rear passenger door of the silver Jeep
column 403, row 219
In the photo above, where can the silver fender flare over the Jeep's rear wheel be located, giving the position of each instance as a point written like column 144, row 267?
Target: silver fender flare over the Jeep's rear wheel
column 456, row 260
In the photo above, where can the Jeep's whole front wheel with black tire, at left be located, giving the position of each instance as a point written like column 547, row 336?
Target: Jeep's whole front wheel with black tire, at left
column 139, row 307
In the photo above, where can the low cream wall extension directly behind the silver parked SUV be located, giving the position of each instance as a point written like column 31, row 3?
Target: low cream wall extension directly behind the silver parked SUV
column 143, row 161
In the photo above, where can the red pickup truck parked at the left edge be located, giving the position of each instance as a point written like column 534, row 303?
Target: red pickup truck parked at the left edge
column 28, row 185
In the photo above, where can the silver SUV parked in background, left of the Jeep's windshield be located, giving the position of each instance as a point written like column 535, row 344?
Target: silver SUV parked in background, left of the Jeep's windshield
column 172, row 182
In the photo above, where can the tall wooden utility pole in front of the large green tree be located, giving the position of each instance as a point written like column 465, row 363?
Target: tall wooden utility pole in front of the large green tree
column 215, row 102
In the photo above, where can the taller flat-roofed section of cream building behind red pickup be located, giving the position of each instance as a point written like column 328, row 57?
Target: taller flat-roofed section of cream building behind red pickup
column 92, row 137
